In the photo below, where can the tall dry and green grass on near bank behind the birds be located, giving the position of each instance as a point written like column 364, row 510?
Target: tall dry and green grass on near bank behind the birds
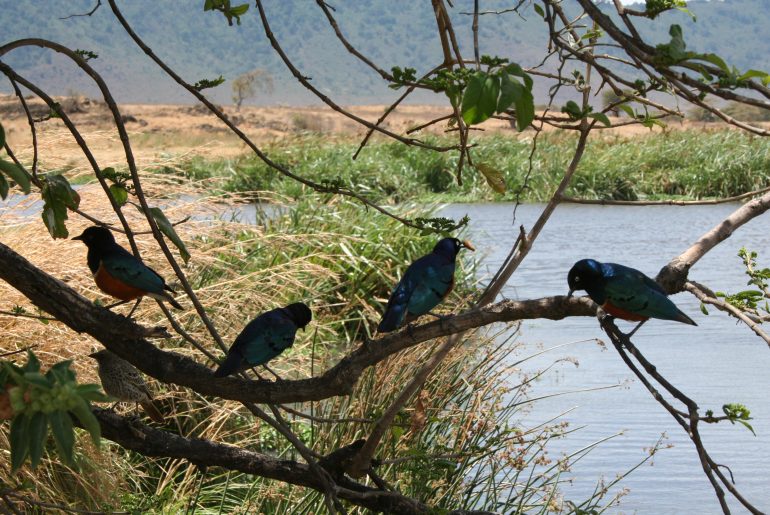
column 465, row 441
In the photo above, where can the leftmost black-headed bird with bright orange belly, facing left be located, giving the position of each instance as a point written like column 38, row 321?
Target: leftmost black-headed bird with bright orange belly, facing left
column 119, row 273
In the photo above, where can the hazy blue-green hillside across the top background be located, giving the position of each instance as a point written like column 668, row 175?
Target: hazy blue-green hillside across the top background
column 391, row 32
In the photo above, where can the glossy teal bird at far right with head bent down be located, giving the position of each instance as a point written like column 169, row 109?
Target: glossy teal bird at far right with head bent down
column 624, row 292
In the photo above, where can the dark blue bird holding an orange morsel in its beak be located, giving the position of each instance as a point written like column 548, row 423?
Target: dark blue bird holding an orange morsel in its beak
column 425, row 284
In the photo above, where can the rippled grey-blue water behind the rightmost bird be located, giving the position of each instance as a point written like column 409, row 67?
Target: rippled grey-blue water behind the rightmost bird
column 716, row 363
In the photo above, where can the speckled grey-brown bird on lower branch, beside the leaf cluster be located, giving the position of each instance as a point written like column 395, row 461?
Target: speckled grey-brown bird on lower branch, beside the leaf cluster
column 122, row 380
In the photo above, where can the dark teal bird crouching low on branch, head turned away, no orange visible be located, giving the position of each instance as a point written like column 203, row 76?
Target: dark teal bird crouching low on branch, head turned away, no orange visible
column 264, row 338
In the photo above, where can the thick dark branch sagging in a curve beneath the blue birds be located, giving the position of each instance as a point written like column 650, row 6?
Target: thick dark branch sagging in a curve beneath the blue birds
column 128, row 340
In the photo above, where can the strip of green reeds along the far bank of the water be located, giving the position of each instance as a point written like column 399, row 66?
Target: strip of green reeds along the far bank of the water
column 682, row 164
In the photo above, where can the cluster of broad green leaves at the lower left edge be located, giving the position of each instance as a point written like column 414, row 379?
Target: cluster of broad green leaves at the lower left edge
column 39, row 401
